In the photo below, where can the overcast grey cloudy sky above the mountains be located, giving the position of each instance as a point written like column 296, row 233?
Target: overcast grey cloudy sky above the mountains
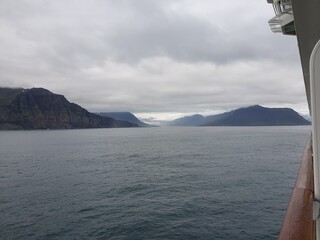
column 158, row 59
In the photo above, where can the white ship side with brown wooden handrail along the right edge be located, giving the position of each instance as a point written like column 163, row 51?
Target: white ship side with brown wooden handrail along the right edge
column 301, row 18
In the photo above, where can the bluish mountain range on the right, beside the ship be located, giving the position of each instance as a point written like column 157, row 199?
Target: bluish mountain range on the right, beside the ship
column 250, row 116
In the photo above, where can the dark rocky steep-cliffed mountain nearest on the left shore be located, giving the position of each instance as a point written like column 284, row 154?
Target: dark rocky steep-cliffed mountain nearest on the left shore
column 38, row 108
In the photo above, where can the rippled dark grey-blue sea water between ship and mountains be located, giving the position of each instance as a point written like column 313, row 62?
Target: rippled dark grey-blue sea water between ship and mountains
column 150, row 183
